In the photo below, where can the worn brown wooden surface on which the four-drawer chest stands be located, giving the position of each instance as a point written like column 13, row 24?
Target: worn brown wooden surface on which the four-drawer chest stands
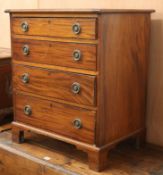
column 66, row 159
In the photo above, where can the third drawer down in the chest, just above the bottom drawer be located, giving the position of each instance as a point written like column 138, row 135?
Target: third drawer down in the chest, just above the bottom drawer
column 71, row 87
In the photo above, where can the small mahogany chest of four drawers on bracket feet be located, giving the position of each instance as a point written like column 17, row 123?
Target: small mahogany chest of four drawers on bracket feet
column 80, row 76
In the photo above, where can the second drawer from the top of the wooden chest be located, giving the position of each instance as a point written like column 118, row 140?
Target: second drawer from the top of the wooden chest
column 72, row 55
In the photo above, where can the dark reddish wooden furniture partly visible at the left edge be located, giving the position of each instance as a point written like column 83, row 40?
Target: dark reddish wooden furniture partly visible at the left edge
column 5, row 83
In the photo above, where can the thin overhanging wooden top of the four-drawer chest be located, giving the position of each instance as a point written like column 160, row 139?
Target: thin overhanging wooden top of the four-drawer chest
column 80, row 11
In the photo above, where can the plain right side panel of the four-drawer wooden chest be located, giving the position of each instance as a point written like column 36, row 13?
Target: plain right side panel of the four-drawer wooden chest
column 122, row 78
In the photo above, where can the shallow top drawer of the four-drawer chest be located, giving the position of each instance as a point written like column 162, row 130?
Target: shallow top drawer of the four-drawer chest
column 84, row 28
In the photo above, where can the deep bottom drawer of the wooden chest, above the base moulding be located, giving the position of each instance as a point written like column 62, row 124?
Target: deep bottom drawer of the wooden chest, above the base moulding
column 73, row 122
